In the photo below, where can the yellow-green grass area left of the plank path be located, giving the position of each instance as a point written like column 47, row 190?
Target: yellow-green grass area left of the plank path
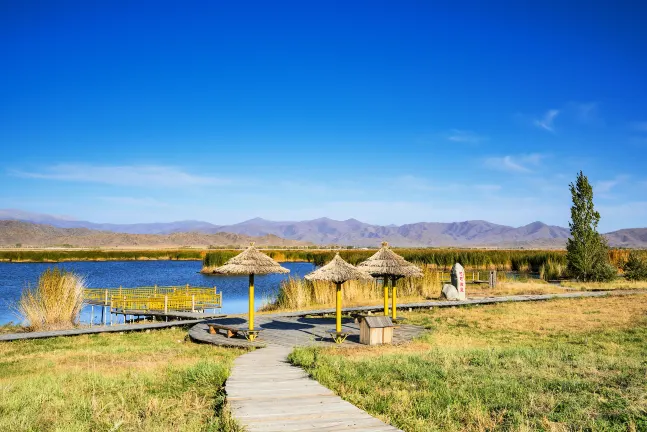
column 131, row 382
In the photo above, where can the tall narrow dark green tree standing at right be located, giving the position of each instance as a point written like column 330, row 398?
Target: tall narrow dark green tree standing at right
column 587, row 251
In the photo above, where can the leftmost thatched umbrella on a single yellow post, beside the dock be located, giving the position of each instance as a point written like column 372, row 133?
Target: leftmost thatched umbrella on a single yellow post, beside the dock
column 251, row 262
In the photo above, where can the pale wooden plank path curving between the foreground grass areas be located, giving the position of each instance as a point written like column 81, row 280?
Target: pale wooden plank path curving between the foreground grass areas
column 267, row 394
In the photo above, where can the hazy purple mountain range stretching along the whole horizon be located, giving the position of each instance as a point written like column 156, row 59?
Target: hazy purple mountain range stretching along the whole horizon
column 325, row 231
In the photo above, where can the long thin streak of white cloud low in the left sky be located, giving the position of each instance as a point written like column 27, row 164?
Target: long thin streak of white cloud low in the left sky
column 122, row 175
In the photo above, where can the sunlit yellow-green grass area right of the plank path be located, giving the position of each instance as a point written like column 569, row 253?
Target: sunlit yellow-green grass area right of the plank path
column 558, row 365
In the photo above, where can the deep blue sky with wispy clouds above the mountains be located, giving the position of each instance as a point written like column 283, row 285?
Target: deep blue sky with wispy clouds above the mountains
column 388, row 112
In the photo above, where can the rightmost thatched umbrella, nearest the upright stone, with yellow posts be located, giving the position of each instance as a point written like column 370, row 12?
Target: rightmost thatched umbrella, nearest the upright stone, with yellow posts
column 390, row 266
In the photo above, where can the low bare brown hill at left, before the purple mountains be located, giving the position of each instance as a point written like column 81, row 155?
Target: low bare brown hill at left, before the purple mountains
column 39, row 235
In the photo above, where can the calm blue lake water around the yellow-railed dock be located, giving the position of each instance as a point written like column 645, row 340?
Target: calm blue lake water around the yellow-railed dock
column 112, row 274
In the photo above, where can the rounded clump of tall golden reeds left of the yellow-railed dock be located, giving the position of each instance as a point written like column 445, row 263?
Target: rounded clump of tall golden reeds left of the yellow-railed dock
column 55, row 302
